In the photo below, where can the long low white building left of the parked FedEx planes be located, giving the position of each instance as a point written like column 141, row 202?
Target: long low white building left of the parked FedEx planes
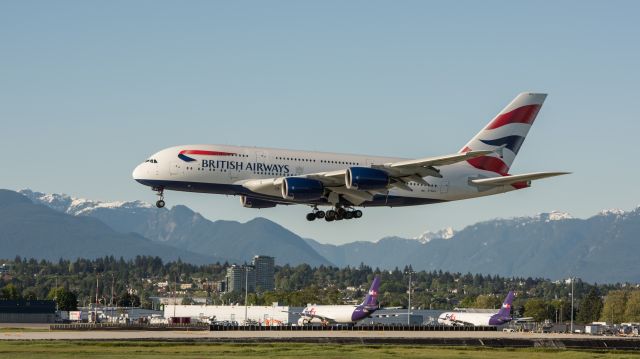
column 273, row 314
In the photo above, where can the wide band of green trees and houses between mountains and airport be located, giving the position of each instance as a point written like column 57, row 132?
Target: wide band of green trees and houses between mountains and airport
column 134, row 282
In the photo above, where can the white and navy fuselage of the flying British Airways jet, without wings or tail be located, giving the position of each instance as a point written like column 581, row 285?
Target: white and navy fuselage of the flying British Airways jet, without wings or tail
column 226, row 173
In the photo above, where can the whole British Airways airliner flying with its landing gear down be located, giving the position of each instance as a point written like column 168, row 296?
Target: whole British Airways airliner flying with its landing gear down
column 267, row 177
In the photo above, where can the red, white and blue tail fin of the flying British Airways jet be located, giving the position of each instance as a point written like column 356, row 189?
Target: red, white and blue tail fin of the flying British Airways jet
column 505, row 133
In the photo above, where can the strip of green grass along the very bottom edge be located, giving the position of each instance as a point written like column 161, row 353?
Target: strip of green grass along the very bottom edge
column 121, row 349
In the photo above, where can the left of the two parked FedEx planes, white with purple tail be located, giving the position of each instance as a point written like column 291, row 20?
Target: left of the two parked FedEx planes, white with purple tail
column 342, row 314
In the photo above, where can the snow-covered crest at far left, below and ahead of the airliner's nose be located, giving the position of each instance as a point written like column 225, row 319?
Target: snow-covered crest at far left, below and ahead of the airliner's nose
column 77, row 206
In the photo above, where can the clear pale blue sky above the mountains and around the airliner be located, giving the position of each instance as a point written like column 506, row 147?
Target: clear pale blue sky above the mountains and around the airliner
column 89, row 89
